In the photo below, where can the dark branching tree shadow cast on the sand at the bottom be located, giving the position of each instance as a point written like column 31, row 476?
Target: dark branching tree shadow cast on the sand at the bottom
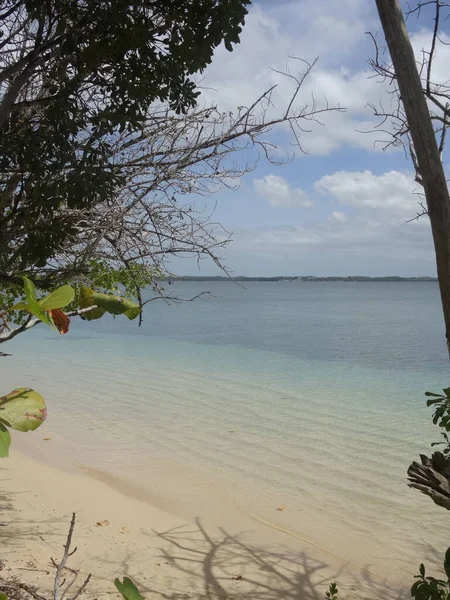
column 227, row 567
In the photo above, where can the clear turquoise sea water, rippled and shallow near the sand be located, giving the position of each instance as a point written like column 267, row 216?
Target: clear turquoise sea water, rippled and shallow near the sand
column 308, row 395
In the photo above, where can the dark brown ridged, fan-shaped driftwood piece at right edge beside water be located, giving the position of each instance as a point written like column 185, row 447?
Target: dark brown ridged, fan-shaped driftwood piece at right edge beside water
column 432, row 477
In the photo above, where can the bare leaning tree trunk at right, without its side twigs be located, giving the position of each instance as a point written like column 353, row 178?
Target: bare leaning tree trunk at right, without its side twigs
column 424, row 140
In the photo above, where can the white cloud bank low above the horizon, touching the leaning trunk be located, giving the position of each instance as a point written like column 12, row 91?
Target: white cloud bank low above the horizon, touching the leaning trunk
column 374, row 227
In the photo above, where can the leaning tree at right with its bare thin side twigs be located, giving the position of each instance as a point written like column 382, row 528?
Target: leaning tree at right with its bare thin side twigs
column 416, row 124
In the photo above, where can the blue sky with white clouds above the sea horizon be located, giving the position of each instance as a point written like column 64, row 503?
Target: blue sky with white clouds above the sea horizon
column 342, row 206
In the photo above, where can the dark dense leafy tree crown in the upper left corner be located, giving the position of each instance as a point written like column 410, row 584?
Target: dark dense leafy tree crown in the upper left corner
column 73, row 74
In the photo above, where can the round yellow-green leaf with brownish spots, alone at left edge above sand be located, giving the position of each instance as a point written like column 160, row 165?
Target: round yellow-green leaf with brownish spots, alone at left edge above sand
column 23, row 409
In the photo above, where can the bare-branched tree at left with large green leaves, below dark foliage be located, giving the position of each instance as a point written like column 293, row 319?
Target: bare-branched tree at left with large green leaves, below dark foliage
column 127, row 238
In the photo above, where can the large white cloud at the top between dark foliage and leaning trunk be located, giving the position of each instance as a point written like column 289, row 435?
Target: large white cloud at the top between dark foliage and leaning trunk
column 303, row 29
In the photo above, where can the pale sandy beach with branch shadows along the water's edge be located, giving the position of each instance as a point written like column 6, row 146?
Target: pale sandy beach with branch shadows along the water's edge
column 168, row 556
